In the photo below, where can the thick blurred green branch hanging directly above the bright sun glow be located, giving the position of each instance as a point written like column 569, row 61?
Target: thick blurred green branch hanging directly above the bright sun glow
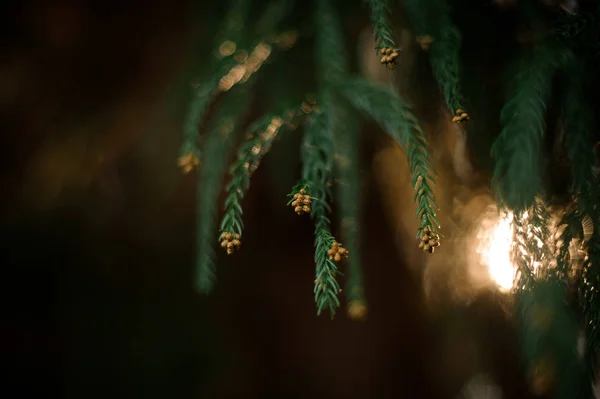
column 518, row 149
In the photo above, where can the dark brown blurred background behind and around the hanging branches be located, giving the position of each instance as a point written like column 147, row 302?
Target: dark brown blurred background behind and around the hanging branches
column 98, row 222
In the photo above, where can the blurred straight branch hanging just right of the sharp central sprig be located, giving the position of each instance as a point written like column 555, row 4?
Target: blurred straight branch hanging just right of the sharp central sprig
column 345, row 128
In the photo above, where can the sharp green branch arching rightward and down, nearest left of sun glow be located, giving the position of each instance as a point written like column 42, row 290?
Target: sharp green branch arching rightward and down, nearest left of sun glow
column 396, row 117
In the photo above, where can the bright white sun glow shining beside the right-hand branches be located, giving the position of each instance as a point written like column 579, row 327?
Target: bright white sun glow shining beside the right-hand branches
column 495, row 243
